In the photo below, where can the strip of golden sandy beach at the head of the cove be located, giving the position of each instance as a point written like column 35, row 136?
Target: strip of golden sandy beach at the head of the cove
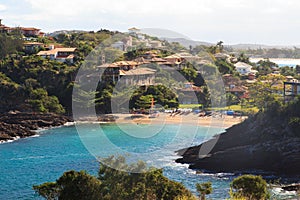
column 192, row 119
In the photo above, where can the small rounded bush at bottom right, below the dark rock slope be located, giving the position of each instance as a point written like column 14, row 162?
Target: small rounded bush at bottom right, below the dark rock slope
column 249, row 187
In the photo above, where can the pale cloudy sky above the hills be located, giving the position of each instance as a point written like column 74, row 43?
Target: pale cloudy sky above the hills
column 271, row 22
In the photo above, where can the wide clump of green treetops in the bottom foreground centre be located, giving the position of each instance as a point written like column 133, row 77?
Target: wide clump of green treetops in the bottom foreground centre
column 115, row 181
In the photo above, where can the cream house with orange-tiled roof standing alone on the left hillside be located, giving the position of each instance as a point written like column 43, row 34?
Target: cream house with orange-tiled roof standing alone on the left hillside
column 59, row 54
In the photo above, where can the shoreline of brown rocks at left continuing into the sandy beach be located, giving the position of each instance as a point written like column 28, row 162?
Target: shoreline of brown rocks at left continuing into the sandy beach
column 23, row 125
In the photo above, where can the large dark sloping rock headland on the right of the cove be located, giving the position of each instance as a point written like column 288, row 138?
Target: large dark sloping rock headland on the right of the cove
column 262, row 143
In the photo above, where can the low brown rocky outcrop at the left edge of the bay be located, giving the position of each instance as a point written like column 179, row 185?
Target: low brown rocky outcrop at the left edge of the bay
column 14, row 125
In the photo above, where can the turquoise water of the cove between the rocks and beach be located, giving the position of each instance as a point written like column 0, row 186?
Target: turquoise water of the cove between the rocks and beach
column 35, row 160
